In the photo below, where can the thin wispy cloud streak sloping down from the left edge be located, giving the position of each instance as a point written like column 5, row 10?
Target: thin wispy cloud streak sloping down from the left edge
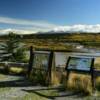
column 40, row 24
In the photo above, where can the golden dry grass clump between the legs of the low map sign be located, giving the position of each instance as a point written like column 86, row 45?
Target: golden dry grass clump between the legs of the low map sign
column 80, row 83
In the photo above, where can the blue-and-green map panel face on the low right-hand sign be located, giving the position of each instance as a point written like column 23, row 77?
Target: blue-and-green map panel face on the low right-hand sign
column 79, row 63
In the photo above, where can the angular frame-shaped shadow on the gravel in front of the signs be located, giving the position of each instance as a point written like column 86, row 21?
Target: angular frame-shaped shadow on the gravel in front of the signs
column 61, row 93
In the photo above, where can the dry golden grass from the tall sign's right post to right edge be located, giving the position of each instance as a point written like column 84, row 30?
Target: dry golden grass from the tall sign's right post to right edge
column 76, row 82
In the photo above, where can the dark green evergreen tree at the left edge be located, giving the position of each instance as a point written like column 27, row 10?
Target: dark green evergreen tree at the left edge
column 14, row 47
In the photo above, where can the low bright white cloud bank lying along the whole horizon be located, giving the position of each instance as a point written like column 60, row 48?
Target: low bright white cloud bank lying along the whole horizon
column 73, row 28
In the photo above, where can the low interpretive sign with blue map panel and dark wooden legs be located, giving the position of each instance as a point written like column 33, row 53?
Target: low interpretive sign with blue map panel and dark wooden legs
column 82, row 64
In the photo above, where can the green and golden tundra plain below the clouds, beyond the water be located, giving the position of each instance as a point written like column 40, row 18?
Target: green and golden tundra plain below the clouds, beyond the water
column 59, row 41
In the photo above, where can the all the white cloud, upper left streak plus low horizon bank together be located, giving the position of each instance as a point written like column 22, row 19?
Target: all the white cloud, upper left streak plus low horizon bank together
column 31, row 26
